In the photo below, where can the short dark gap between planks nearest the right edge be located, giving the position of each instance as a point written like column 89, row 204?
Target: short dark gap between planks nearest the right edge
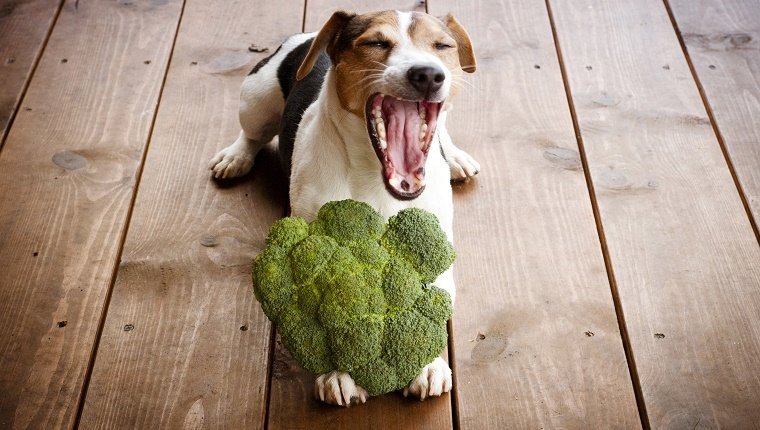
column 713, row 122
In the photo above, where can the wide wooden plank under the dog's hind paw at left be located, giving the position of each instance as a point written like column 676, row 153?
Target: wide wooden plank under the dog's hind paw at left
column 196, row 353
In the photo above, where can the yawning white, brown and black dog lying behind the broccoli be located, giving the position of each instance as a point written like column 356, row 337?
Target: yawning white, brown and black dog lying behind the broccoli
column 360, row 108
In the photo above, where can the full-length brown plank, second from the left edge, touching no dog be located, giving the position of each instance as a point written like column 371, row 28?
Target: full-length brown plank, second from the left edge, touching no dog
column 67, row 174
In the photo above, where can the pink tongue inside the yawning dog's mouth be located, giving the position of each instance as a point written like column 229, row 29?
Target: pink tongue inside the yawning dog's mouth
column 403, row 124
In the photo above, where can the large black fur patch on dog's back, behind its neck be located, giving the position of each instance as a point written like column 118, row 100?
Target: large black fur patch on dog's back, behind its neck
column 299, row 95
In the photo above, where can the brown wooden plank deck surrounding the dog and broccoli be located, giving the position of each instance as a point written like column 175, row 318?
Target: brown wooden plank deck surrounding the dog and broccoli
column 608, row 264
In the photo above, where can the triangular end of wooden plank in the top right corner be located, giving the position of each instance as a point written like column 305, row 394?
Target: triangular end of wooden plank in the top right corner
column 722, row 41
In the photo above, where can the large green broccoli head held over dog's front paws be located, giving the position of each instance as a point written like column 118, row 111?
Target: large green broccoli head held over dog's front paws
column 350, row 293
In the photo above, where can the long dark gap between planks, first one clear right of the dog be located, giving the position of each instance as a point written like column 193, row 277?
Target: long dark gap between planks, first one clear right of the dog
column 600, row 231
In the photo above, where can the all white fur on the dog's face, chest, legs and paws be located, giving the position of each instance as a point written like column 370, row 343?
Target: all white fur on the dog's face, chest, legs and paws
column 334, row 160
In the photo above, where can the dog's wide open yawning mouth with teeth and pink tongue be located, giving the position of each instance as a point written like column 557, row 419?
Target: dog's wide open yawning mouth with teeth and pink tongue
column 401, row 132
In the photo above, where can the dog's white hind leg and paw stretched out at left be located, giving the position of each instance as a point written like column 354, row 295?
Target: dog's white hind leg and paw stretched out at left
column 261, row 106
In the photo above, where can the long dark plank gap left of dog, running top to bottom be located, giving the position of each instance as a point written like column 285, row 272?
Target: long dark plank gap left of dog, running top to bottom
column 127, row 222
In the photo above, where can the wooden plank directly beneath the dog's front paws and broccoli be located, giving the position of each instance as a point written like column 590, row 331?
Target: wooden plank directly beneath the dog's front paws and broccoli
column 292, row 403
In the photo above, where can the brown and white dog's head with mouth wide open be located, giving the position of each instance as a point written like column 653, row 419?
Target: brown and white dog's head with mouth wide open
column 396, row 70
